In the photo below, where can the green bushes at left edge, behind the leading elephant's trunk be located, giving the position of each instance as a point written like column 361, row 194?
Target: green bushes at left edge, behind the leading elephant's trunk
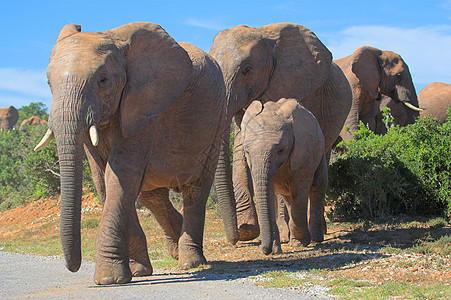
column 24, row 174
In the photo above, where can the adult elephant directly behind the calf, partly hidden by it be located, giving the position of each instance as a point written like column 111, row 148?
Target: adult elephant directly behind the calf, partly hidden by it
column 276, row 61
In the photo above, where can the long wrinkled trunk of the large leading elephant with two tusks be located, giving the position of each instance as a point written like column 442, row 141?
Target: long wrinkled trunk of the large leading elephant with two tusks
column 69, row 122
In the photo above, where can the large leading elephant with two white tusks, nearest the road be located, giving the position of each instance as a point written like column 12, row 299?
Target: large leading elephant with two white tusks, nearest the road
column 149, row 113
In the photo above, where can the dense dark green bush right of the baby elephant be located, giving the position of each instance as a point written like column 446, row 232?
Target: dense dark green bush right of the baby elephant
column 406, row 171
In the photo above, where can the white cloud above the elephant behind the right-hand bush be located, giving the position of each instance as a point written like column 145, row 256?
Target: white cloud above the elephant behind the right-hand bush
column 425, row 49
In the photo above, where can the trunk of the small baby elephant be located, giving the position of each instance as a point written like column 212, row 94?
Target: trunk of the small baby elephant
column 264, row 193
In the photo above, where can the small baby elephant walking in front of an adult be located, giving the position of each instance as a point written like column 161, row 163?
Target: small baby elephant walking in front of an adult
column 284, row 148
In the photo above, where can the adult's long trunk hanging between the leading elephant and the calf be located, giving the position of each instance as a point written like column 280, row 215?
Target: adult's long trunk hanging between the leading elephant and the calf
column 224, row 190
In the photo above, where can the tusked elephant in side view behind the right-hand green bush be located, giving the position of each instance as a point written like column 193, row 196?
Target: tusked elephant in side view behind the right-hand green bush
column 372, row 72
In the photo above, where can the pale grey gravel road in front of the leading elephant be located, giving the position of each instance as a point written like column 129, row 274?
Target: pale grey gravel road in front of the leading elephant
column 37, row 277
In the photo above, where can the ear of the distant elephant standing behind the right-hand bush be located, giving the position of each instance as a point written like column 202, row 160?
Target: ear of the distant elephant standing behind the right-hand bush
column 365, row 65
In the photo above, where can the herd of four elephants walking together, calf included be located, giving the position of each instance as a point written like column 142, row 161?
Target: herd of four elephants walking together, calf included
column 153, row 114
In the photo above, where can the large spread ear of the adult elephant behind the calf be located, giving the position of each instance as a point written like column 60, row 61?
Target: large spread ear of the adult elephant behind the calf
column 302, row 61
